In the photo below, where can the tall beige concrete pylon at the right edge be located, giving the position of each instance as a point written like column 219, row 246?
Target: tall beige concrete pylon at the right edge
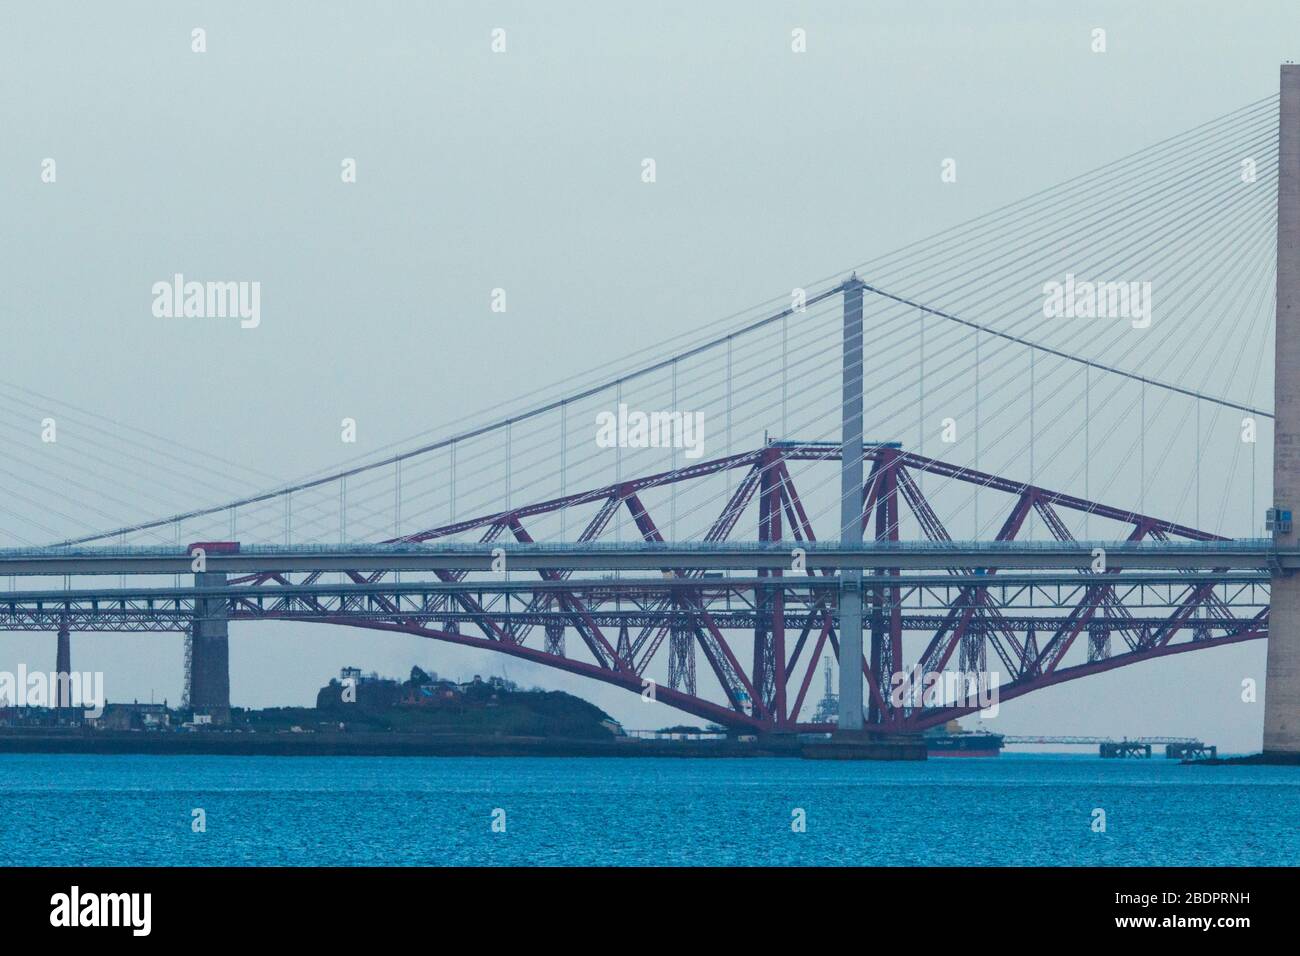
column 1282, row 680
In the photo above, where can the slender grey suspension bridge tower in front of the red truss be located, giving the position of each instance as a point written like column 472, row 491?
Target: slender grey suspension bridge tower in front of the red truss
column 851, row 513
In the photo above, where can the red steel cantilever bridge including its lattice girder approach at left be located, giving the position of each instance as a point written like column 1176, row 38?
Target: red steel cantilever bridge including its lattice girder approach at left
column 960, row 607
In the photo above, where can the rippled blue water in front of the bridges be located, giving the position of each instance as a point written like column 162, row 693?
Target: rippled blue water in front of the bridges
column 66, row 810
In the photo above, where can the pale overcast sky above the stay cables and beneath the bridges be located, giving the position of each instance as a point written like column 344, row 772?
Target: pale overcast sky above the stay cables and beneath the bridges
column 523, row 171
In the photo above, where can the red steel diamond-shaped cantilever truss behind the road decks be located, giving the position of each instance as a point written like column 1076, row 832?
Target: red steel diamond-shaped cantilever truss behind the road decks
column 769, row 695
